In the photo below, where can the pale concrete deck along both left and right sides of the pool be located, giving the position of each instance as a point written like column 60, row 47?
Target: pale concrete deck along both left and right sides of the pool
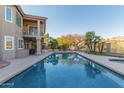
column 19, row 65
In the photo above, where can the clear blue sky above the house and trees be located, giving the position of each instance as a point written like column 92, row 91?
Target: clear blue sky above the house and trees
column 106, row 21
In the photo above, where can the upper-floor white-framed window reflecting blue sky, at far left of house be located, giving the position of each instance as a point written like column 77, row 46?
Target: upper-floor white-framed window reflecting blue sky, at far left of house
column 8, row 14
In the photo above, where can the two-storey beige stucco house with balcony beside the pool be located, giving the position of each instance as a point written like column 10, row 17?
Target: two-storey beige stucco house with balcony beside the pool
column 19, row 32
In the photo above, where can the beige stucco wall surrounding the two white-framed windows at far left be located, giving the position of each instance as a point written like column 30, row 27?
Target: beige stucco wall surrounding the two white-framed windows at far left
column 10, row 29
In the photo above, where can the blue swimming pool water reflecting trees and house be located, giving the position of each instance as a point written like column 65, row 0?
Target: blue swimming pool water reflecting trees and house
column 68, row 70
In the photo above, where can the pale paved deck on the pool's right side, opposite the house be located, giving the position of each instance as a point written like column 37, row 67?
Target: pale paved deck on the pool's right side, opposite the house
column 104, row 60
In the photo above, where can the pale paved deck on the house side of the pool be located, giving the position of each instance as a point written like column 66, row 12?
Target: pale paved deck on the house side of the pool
column 19, row 65
